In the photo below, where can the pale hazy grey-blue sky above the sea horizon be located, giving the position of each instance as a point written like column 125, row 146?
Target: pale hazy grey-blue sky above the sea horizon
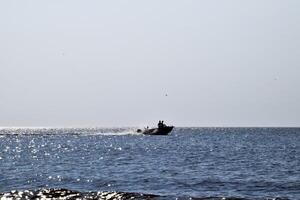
column 130, row 63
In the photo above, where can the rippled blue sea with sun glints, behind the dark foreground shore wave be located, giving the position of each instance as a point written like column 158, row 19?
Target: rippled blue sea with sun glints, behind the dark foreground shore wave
column 245, row 163
